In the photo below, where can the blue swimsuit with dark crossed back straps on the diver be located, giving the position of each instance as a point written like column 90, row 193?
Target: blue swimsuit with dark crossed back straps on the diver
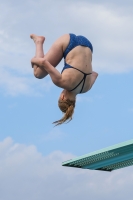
column 76, row 41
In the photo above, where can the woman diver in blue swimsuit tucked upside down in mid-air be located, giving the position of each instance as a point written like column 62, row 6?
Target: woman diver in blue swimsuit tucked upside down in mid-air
column 76, row 76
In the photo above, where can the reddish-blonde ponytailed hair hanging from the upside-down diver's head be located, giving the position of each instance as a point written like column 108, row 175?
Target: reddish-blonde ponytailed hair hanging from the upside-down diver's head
column 66, row 106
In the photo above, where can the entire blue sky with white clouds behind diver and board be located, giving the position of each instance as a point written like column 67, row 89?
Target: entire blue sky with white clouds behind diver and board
column 31, row 149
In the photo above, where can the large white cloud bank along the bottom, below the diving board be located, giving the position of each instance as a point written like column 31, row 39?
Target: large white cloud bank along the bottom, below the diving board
column 26, row 174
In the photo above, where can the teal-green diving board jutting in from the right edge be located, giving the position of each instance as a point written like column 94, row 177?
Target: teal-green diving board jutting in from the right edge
column 107, row 159
